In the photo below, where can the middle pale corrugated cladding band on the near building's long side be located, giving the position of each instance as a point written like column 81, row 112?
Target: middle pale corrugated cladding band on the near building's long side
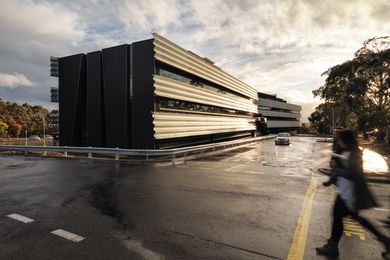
column 165, row 87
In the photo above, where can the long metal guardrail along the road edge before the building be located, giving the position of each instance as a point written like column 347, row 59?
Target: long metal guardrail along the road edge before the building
column 147, row 154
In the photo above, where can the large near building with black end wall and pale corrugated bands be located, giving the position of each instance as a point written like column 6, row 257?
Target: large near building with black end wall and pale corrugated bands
column 150, row 94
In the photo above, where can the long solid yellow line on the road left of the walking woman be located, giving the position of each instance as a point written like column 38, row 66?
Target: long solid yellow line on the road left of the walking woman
column 297, row 249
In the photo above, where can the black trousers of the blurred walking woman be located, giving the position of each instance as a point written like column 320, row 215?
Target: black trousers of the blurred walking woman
column 340, row 211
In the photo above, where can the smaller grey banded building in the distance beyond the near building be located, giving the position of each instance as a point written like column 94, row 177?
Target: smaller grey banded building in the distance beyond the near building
column 281, row 116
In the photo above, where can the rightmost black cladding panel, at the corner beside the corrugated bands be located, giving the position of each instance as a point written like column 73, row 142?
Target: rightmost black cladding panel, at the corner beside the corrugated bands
column 143, row 69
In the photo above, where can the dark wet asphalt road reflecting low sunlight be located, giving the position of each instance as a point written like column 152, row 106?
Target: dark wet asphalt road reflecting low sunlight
column 240, row 204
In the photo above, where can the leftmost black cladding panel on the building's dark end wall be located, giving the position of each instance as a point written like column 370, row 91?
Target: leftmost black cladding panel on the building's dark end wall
column 72, row 98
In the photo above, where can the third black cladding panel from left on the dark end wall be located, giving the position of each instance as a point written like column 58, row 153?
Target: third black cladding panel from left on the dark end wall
column 116, row 84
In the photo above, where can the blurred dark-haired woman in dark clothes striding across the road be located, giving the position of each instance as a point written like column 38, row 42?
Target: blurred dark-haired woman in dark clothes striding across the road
column 353, row 194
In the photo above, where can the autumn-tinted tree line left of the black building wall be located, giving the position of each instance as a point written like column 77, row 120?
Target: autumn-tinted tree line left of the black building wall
column 15, row 119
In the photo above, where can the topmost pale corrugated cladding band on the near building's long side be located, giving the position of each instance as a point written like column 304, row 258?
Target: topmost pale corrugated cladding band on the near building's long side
column 172, row 54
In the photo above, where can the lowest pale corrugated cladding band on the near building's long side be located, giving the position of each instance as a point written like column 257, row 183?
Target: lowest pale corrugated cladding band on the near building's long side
column 173, row 125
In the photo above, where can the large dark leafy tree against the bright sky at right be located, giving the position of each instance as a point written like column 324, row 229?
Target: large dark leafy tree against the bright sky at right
column 356, row 92
